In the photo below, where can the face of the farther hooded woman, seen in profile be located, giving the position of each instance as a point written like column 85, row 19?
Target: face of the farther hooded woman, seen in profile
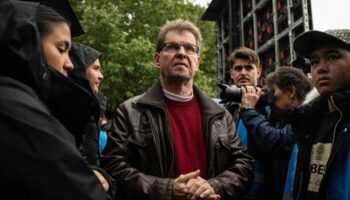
column 94, row 75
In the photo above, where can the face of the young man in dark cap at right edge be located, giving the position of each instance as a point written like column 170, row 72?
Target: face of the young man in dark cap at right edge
column 330, row 69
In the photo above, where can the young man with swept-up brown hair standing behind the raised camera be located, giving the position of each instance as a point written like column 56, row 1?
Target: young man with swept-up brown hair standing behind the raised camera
column 244, row 73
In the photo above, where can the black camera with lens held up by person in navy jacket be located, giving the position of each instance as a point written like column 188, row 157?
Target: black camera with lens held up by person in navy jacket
column 234, row 94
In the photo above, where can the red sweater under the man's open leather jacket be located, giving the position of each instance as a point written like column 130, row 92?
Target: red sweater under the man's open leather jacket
column 188, row 138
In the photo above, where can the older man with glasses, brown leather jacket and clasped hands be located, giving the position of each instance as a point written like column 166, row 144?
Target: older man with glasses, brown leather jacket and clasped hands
column 174, row 142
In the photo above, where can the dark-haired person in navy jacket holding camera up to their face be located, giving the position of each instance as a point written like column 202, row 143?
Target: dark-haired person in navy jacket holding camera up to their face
column 273, row 137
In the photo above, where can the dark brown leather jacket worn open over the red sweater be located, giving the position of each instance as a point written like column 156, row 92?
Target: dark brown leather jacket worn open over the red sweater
column 139, row 152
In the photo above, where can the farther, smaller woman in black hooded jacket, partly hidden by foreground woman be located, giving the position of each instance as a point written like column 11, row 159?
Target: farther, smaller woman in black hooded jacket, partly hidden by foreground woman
column 88, row 73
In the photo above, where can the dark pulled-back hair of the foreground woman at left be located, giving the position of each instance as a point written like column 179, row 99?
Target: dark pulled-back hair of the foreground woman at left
column 46, row 16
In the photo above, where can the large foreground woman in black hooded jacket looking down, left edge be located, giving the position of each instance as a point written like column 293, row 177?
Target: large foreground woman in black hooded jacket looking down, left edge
column 40, row 108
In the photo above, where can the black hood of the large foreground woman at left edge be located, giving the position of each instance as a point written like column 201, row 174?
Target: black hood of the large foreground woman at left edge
column 21, row 55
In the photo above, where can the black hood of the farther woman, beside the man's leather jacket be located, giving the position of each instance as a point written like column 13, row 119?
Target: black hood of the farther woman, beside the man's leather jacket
column 82, row 57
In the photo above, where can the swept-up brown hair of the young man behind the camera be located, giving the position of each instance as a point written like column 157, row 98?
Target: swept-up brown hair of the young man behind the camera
column 245, row 54
